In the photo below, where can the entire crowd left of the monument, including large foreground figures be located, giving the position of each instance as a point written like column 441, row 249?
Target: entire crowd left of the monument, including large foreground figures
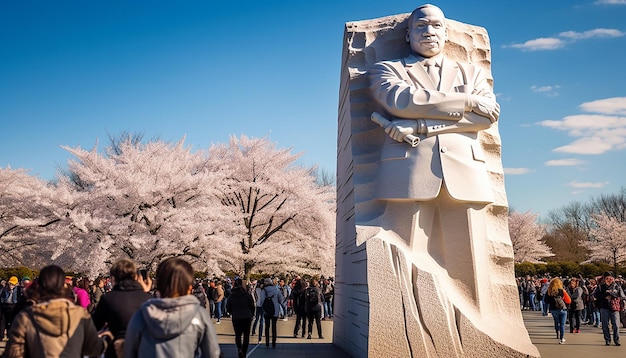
column 127, row 313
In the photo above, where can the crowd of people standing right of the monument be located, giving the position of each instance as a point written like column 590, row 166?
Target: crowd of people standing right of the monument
column 597, row 302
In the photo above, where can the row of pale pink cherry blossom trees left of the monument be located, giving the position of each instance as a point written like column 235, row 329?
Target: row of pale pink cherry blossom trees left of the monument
column 244, row 206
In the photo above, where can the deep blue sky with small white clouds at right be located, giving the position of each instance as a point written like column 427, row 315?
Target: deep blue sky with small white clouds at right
column 73, row 72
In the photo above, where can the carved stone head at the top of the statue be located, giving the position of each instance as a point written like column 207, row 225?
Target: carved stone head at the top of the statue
column 427, row 32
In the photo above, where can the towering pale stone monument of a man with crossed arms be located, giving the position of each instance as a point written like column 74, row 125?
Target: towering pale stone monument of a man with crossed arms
column 428, row 193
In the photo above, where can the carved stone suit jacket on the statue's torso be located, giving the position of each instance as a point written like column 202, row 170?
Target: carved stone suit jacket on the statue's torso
column 450, row 150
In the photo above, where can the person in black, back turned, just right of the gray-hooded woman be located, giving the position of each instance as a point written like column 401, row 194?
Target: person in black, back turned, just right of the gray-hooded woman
column 240, row 304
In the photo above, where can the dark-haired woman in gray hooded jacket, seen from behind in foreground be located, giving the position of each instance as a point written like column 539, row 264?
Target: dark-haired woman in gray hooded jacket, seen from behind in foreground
column 175, row 325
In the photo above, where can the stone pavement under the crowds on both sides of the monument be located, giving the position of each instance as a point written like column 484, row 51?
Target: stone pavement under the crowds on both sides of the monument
column 588, row 343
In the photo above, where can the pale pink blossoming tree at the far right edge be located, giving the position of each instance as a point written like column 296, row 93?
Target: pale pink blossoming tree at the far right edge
column 608, row 240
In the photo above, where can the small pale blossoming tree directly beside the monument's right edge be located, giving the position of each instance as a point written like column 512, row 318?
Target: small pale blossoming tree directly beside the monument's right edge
column 527, row 237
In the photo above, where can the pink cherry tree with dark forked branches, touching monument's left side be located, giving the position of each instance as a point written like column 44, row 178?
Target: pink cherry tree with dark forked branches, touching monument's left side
column 285, row 220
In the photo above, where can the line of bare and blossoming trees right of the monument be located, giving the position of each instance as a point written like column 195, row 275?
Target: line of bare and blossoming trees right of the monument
column 573, row 237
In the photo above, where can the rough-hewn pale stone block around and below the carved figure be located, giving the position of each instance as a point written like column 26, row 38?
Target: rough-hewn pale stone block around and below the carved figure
column 375, row 310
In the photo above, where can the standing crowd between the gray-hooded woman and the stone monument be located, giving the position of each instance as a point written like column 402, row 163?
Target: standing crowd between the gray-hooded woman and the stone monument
column 309, row 301
